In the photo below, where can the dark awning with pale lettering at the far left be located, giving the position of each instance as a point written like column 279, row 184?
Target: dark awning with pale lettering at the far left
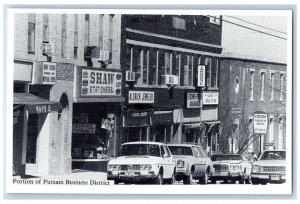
column 35, row 104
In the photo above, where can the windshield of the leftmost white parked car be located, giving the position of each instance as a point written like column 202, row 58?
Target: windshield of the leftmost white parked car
column 140, row 150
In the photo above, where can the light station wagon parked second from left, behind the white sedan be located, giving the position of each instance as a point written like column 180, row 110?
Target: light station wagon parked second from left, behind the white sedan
column 191, row 163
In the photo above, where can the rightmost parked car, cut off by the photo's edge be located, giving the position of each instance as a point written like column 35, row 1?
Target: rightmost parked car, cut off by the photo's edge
column 270, row 167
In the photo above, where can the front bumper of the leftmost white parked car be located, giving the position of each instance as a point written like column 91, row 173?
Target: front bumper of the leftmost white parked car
column 130, row 177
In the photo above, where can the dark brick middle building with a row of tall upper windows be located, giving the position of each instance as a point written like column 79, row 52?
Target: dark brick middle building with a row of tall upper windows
column 160, row 57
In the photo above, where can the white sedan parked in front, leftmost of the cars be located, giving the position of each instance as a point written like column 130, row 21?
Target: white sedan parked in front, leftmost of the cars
column 142, row 162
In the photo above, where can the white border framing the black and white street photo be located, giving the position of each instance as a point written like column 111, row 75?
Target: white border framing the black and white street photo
column 137, row 189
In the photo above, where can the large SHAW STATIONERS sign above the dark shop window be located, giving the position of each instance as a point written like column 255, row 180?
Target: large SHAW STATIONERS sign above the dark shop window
column 100, row 83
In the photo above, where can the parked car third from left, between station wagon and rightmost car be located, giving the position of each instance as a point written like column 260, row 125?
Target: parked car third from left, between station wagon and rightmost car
column 233, row 167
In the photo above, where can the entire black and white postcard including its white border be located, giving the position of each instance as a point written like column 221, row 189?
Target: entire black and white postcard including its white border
column 149, row 101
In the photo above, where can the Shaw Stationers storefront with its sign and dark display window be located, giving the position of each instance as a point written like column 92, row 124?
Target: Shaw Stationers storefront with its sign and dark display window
column 96, row 116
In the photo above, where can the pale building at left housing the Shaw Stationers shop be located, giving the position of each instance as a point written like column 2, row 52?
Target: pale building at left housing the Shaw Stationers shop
column 56, row 117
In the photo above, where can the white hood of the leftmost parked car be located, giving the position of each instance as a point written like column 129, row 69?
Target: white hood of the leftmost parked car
column 135, row 160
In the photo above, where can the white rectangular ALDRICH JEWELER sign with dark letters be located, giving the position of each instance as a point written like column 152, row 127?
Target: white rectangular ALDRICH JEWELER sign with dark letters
column 140, row 97
